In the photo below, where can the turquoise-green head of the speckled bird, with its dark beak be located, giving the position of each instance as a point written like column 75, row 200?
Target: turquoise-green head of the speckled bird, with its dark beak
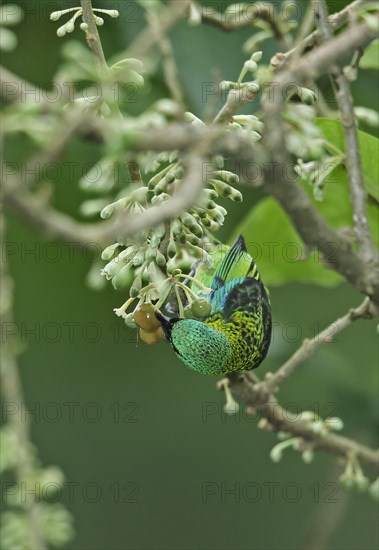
column 200, row 346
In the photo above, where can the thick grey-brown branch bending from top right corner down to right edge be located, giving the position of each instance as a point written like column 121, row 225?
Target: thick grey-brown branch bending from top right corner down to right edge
column 310, row 225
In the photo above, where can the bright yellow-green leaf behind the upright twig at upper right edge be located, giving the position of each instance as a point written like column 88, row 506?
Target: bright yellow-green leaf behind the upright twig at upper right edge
column 369, row 149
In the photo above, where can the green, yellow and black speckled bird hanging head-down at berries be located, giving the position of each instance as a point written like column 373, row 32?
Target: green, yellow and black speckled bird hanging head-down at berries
column 236, row 333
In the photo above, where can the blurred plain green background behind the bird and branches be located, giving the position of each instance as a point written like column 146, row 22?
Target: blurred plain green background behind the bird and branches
column 151, row 459
